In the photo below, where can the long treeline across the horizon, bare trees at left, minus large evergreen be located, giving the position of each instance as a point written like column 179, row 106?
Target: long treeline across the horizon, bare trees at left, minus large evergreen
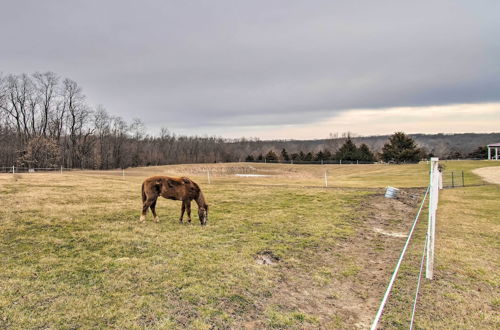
column 46, row 121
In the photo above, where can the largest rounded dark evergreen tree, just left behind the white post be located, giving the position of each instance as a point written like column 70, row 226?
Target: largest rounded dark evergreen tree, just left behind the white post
column 400, row 149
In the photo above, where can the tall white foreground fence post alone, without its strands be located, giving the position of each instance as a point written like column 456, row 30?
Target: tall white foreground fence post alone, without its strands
column 433, row 203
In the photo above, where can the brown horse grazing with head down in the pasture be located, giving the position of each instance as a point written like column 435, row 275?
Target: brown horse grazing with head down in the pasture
column 181, row 189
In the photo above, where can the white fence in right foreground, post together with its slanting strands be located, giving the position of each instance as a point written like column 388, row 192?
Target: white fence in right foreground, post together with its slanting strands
column 435, row 183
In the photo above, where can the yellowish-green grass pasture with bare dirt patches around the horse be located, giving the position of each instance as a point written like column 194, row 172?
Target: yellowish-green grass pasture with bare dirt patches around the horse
column 278, row 251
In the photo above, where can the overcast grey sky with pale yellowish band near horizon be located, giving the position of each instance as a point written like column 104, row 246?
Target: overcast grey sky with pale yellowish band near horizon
column 286, row 69
